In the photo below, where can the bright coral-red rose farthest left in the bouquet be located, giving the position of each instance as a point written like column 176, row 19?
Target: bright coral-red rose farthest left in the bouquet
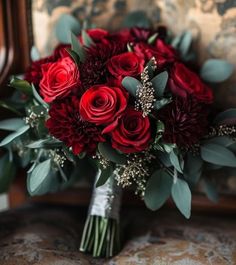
column 59, row 79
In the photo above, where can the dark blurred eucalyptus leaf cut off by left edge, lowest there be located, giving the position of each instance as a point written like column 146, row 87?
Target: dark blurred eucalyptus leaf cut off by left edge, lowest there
column 8, row 171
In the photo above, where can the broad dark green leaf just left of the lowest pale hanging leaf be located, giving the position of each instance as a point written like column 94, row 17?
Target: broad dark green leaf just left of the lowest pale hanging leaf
column 158, row 189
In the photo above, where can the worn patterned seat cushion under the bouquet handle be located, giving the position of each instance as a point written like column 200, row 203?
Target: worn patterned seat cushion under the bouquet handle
column 50, row 235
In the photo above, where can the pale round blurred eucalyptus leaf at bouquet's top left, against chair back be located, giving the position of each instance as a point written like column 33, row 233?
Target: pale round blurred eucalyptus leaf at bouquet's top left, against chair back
column 66, row 24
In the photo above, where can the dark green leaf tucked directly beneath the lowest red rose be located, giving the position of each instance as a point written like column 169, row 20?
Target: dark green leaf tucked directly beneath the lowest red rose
column 108, row 152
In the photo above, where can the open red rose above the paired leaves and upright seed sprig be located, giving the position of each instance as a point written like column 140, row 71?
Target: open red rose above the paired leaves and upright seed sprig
column 125, row 64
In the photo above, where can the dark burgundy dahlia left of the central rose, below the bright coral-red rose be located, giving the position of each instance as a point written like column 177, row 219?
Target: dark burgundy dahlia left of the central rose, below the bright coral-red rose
column 66, row 125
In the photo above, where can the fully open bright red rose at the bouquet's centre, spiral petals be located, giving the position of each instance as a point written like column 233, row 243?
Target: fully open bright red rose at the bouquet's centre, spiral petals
column 103, row 105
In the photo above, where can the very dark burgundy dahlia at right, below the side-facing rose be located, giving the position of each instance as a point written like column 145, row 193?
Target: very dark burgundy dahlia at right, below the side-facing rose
column 185, row 121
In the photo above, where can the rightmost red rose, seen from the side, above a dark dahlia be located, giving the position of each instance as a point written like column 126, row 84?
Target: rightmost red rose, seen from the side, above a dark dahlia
column 184, row 82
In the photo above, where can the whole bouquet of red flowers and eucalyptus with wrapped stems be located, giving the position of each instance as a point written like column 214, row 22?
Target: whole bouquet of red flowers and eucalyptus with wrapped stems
column 135, row 106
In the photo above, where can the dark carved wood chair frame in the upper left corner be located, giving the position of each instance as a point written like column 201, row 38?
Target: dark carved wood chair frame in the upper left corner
column 15, row 39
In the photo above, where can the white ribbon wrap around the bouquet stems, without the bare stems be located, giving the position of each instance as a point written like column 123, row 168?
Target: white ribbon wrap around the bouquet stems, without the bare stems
column 106, row 199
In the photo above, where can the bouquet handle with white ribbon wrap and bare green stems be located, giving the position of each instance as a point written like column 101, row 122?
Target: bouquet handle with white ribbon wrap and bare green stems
column 101, row 234
